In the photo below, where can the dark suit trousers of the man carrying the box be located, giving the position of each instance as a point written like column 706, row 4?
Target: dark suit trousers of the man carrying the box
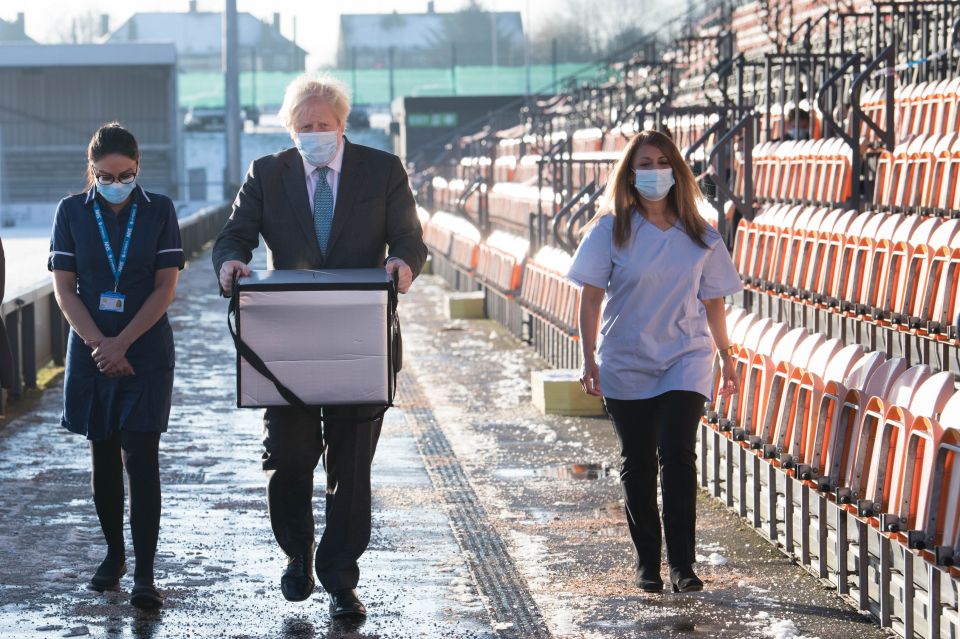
column 293, row 443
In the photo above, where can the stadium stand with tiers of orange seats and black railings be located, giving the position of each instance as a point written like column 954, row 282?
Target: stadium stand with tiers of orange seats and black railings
column 843, row 447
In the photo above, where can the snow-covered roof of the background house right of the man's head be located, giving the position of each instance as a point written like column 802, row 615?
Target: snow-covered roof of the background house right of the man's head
column 421, row 30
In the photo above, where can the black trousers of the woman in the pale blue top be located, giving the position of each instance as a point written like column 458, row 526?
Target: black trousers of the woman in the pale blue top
column 659, row 433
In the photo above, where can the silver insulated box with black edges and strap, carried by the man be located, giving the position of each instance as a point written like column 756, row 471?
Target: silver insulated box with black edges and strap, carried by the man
column 329, row 337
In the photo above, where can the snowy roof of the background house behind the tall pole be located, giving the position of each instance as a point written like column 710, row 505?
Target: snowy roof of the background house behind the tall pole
column 196, row 32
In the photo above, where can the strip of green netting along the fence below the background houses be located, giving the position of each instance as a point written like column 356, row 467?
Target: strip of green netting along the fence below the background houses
column 372, row 86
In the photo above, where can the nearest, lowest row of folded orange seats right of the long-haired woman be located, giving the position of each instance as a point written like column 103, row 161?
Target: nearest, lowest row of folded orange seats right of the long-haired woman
column 882, row 438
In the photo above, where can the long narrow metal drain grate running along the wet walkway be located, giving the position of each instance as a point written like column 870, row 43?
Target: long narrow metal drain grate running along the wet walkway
column 510, row 604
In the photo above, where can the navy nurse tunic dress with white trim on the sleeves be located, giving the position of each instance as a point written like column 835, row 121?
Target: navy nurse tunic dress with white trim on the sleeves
column 96, row 405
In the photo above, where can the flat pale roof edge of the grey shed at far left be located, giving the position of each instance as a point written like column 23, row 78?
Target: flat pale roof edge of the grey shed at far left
column 86, row 55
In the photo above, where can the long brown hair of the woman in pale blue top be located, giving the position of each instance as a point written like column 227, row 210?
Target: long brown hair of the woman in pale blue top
column 621, row 197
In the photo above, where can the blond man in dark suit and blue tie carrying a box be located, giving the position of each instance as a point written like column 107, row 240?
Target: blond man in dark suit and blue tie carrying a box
column 332, row 204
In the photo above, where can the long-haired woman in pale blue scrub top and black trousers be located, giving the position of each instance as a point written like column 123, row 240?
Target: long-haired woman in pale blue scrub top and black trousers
column 660, row 275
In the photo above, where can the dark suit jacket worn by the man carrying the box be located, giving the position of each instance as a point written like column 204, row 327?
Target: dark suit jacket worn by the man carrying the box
column 374, row 210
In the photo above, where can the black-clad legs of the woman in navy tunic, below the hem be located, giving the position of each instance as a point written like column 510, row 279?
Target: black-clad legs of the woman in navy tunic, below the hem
column 139, row 454
